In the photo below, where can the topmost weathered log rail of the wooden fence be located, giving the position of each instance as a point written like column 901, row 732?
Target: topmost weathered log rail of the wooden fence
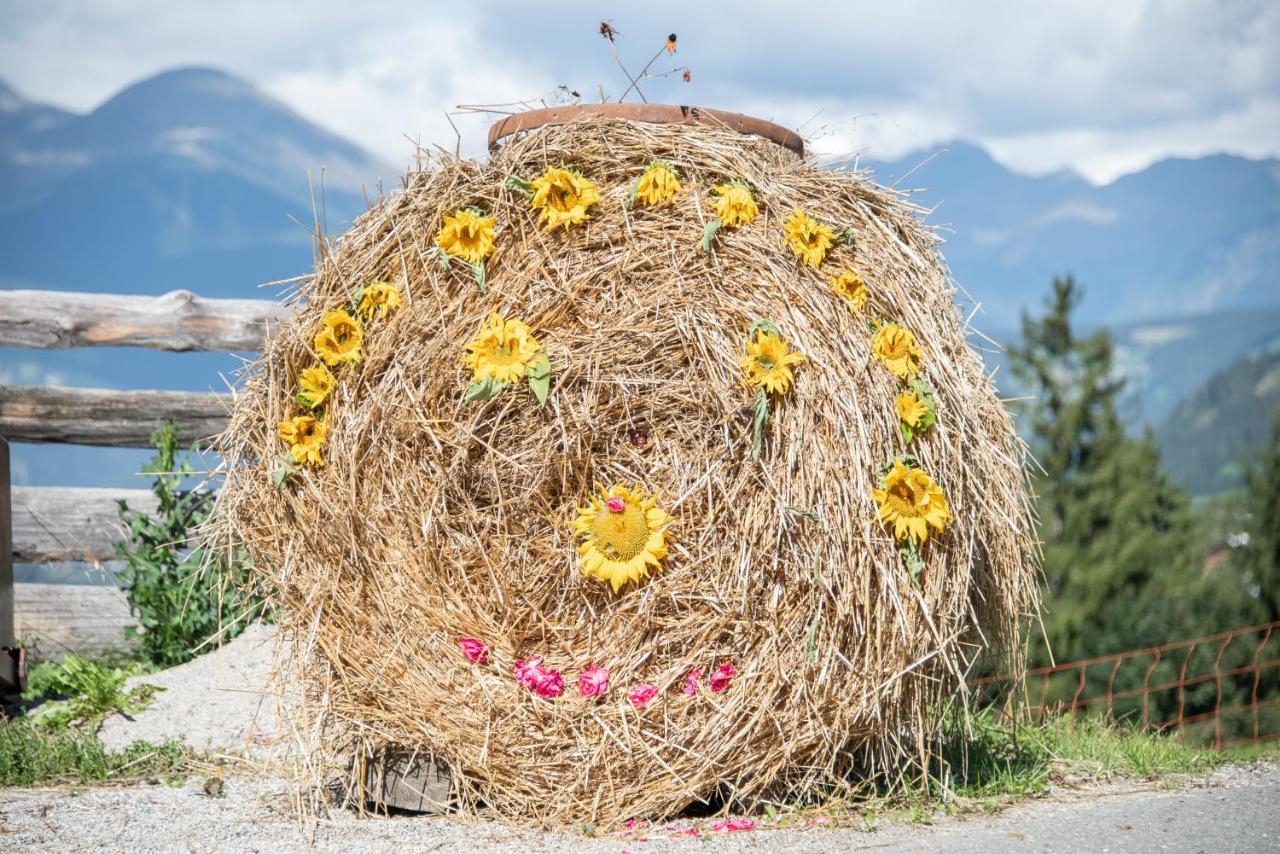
column 179, row 321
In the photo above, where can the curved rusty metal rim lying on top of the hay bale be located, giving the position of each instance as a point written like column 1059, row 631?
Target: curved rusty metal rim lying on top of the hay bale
column 652, row 113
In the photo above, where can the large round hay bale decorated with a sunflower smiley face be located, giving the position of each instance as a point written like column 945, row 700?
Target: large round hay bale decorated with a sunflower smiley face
column 426, row 519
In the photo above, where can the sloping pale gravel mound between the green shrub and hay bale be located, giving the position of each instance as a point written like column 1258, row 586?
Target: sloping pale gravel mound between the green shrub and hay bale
column 218, row 702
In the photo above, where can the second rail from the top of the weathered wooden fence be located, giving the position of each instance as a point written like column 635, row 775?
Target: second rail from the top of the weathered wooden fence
column 107, row 418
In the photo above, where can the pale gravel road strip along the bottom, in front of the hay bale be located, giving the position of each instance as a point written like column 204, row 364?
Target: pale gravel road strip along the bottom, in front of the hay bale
column 1235, row 810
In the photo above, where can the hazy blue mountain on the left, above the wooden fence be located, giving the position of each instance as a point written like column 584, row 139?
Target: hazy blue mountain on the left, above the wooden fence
column 190, row 173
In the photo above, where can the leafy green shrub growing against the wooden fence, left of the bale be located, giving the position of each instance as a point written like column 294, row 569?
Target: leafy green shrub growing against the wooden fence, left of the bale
column 182, row 595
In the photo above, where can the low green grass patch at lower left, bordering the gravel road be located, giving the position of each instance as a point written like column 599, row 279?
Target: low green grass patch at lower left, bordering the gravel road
column 33, row 755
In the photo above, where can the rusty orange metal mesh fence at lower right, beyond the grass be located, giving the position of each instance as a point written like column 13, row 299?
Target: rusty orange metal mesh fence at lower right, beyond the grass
column 1222, row 689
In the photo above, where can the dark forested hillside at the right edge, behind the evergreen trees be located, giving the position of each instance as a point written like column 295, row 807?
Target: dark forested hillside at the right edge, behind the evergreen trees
column 1210, row 439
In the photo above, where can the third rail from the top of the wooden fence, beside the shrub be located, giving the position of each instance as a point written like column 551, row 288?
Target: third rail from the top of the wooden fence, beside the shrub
column 71, row 523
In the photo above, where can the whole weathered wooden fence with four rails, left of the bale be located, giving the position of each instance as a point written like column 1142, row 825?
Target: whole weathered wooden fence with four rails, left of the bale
column 53, row 524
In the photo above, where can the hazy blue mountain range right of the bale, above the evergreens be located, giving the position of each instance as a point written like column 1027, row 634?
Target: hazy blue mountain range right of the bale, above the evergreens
column 1180, row 238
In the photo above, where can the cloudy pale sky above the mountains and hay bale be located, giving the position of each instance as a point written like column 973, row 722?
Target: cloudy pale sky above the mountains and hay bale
column 1100, row 86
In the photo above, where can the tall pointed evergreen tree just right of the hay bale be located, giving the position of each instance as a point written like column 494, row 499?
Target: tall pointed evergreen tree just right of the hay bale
column 1122, row 569
